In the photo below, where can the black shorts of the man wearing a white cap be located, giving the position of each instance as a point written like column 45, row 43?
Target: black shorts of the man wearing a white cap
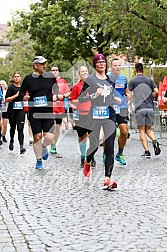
column 41, row 125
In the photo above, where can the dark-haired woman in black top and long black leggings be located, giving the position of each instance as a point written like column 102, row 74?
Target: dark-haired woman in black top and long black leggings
column 15, row 111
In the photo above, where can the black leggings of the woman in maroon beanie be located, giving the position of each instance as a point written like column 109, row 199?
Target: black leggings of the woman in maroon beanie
column 109, row 129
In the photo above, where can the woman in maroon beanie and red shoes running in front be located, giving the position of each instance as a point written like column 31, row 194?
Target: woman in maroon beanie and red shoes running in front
column 100, row 89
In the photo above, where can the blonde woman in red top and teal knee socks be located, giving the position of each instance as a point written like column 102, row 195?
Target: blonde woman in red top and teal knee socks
column 80, row 113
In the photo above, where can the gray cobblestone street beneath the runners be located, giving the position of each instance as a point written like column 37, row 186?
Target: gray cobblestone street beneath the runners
column 58, row 209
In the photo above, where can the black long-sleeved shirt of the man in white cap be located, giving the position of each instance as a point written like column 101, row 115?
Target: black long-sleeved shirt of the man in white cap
column 44, row 85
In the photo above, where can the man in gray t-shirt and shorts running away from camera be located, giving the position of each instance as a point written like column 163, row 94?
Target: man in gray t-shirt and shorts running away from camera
column 143, row 90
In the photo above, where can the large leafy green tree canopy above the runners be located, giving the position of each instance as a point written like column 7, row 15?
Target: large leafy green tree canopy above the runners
column 68, row 30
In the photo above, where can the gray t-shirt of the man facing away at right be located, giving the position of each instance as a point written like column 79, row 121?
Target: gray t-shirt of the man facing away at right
column 142, row 88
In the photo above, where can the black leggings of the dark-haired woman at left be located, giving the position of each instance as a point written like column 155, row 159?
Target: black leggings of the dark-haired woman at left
column 16, row 117
